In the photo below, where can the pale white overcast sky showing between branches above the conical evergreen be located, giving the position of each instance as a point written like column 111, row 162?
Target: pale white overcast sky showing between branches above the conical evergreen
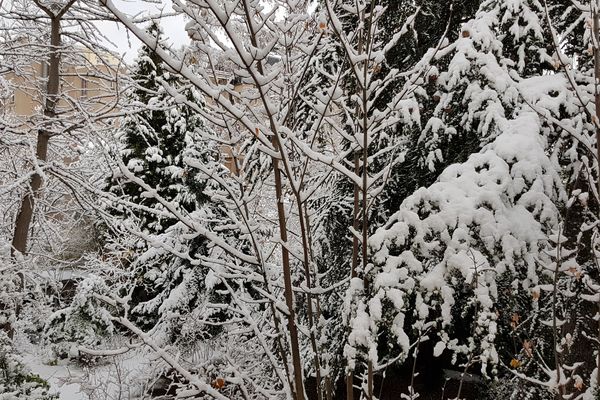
column 127, row 44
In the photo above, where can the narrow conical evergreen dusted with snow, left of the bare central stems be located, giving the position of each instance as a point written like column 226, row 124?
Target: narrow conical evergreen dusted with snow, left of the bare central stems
column 171, row 288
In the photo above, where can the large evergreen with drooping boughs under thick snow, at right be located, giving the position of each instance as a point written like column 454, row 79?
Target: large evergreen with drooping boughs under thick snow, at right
column 429, row 257
